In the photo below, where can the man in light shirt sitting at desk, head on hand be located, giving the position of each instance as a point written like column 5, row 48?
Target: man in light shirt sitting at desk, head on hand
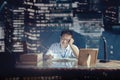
column 64, row 49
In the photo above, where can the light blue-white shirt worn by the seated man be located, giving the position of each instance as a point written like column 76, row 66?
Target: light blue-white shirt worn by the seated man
column 57, row 52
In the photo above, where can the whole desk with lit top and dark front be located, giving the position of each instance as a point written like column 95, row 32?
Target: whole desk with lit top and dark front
column 69, row 70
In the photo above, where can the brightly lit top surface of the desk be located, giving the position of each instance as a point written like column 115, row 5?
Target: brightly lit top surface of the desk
column 69, row 64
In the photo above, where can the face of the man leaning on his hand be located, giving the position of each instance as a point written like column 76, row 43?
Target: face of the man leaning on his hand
column 64, row 41
